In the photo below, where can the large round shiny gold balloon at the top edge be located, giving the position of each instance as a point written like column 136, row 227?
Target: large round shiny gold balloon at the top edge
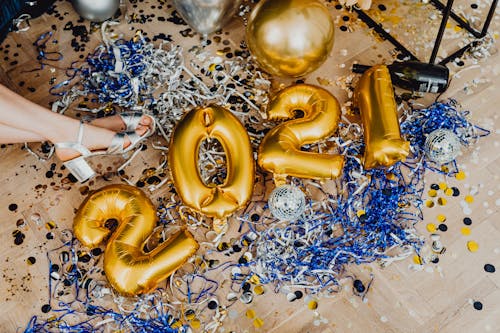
column 290, row 37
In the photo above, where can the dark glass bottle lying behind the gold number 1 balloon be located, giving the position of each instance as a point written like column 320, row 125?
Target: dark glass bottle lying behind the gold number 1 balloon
column 415, row 76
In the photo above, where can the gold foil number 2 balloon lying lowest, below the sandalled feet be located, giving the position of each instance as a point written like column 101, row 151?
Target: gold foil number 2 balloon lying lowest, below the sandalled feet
column 128, row 268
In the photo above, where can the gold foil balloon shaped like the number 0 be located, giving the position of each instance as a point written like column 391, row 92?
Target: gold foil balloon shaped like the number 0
column 216, row 201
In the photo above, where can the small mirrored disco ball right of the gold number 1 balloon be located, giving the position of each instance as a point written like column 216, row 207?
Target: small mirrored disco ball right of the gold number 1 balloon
column 442, row 146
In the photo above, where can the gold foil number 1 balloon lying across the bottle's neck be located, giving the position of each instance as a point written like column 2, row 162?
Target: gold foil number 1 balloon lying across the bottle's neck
column 374, row 95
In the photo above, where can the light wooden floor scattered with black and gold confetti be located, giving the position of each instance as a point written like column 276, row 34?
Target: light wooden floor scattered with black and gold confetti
column 404, row 297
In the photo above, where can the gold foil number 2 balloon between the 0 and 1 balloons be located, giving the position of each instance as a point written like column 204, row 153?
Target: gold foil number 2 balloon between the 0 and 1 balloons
column 280, row 151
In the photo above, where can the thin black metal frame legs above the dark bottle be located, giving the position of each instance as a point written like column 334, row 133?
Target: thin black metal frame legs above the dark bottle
column 448, row 12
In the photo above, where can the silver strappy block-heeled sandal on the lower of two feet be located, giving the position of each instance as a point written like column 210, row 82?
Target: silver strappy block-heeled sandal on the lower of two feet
column 80, row 168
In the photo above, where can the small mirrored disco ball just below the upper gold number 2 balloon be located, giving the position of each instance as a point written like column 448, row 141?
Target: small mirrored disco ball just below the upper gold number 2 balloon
column 287, row 202
